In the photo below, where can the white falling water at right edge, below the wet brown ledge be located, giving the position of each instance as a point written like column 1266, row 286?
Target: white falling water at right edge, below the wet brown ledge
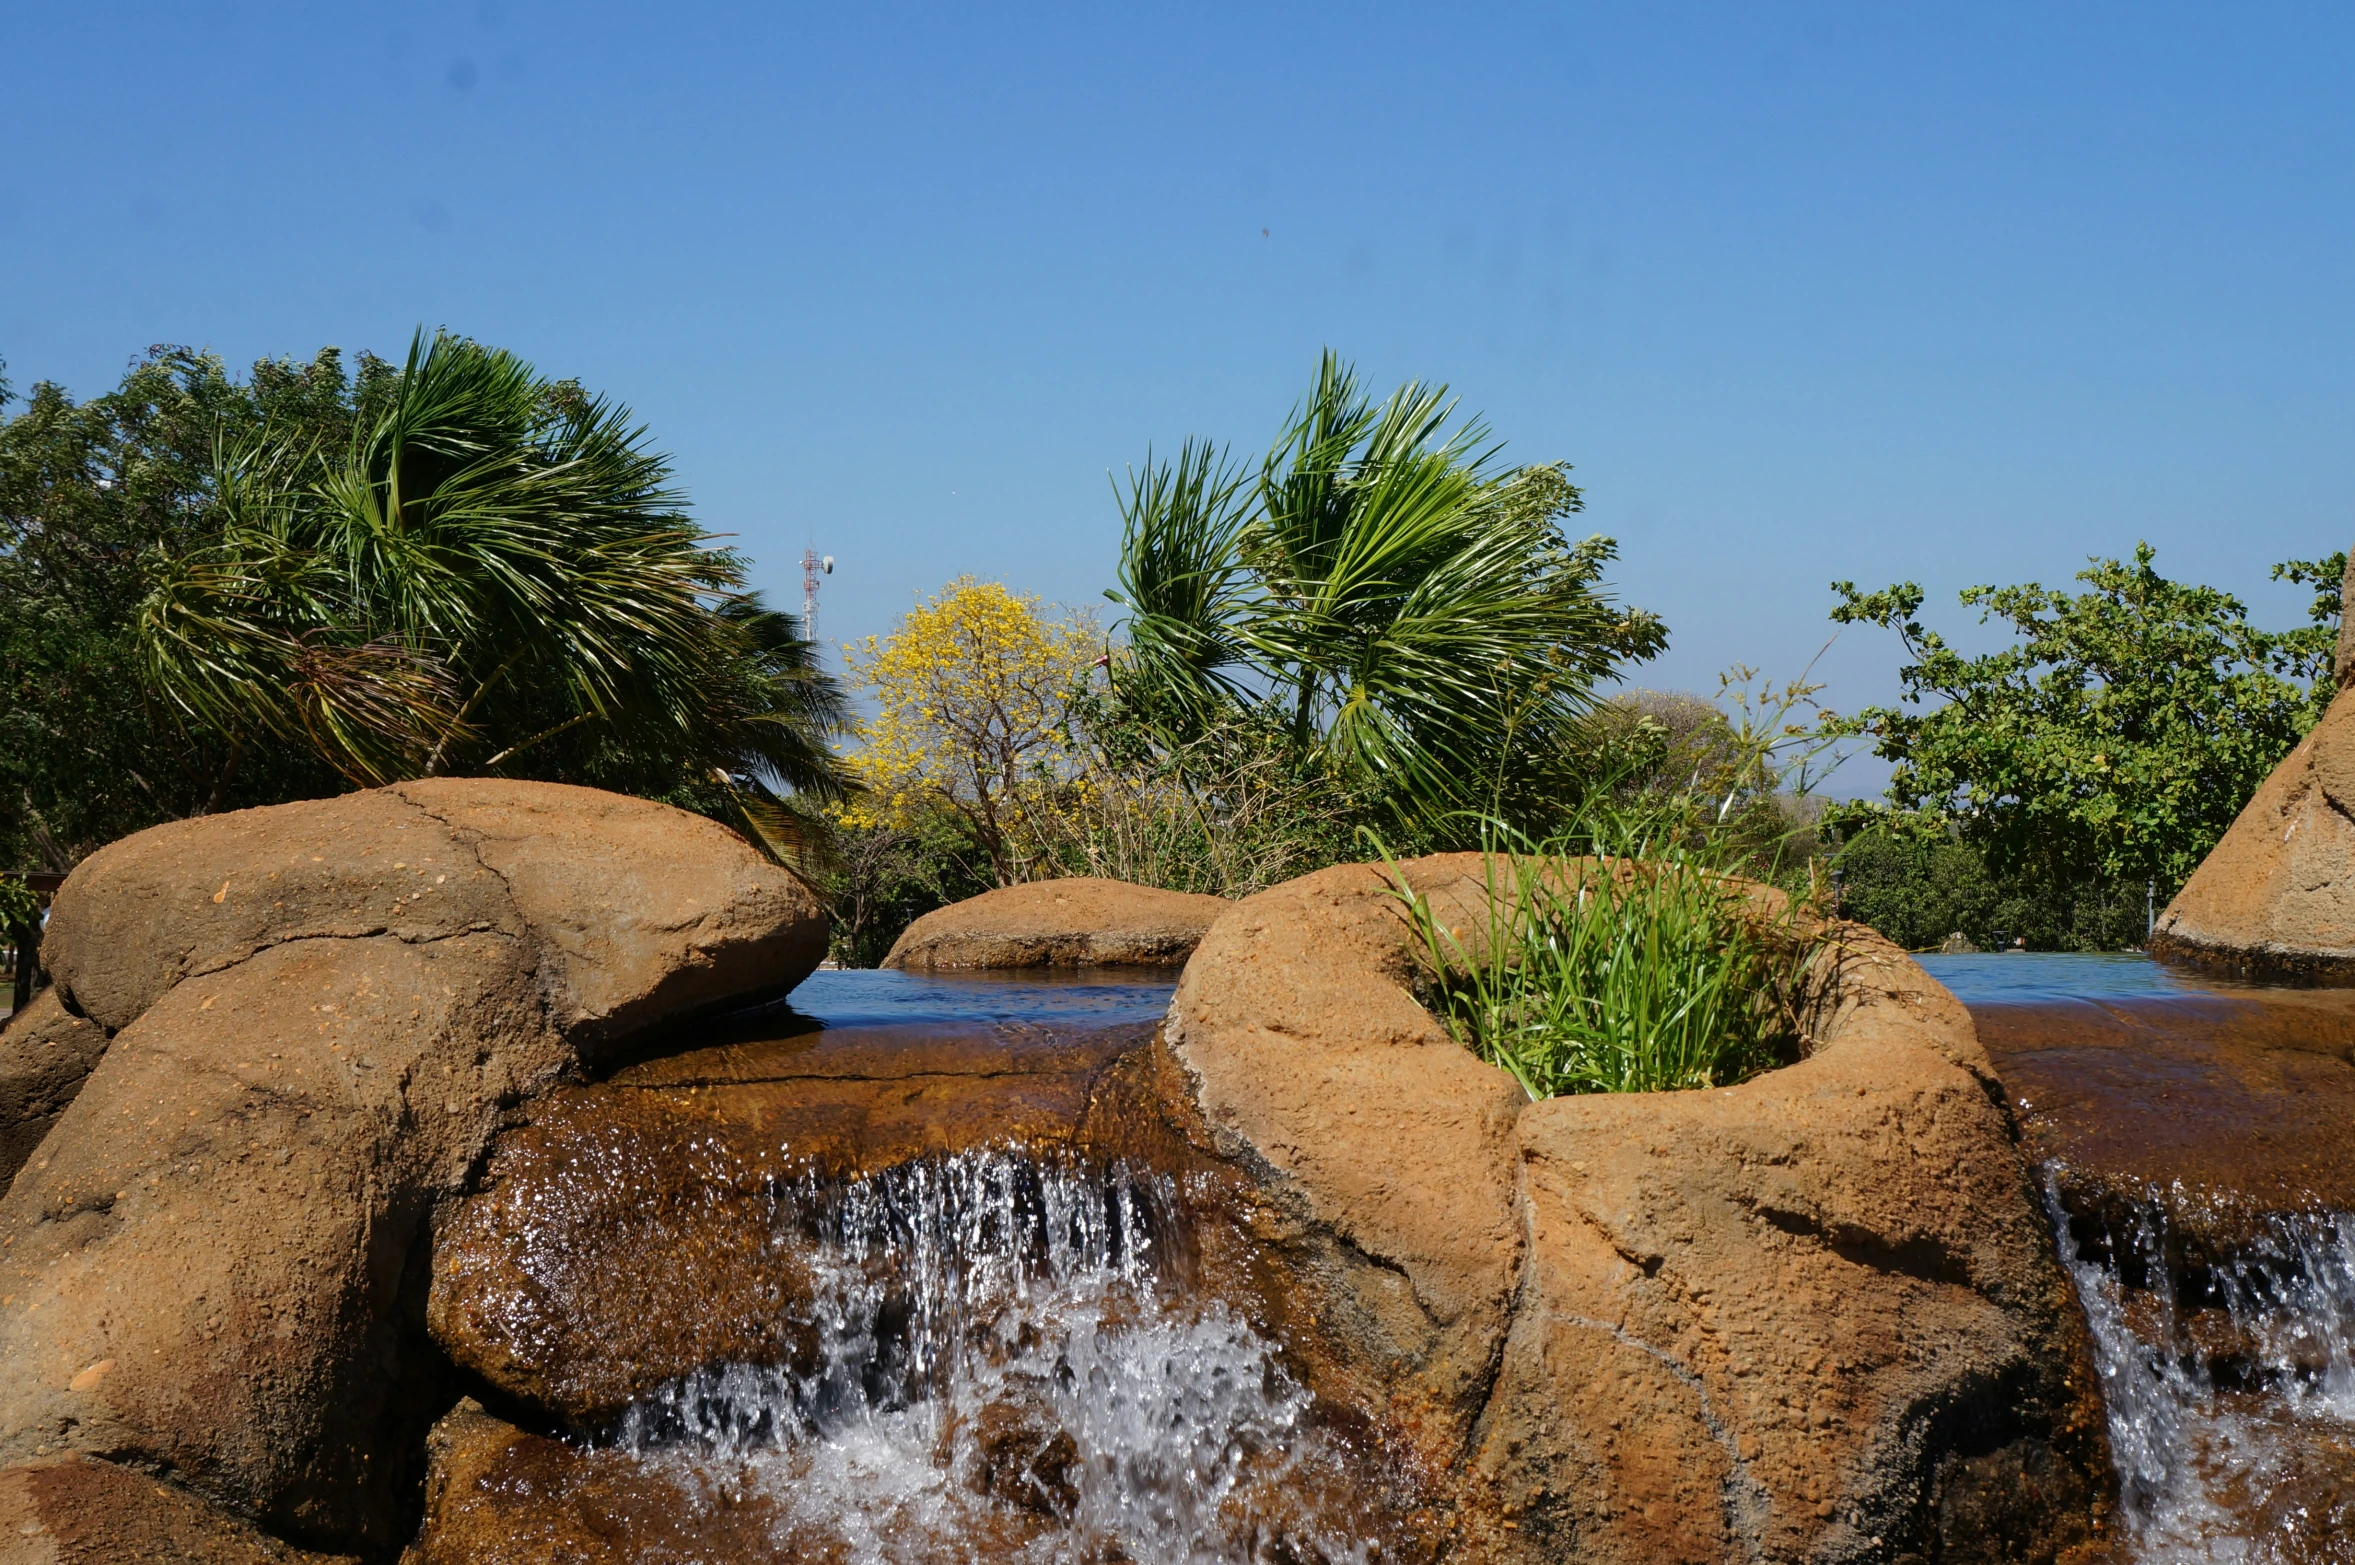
column 2229, row 1385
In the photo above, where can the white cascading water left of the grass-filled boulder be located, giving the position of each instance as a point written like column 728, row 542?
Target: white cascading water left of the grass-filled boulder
column 1009, row 1368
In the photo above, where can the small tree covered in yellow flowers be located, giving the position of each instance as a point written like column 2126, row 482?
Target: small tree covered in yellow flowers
column 974, row 714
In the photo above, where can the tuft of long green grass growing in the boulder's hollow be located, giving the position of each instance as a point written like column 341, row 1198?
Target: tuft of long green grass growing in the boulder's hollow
column 1619, row 973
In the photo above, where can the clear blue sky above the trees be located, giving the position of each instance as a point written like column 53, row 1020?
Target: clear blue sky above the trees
column 1805, row 291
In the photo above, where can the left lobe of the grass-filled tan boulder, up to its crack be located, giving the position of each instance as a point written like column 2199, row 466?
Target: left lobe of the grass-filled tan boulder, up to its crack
column 1386, row 1145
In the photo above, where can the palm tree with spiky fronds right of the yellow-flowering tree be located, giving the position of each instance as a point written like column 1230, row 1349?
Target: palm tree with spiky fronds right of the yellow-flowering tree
column 1412, row 613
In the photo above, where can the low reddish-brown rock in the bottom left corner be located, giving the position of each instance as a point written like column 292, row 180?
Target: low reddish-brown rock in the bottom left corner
column 84, row 1512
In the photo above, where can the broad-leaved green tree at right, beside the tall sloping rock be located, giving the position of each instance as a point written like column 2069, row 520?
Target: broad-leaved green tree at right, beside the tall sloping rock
column 2111, row 745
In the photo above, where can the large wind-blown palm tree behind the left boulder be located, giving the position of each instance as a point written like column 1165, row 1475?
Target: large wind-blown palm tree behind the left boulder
column 496, row 578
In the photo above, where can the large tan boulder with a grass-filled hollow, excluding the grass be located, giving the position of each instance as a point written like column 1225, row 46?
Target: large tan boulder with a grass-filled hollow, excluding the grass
column 1812, row 1317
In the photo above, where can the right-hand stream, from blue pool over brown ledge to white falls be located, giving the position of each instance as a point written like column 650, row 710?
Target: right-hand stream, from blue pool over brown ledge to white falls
column 2215, row 1256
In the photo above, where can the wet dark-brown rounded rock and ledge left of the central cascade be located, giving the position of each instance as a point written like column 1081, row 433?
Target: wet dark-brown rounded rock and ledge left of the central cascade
column 675, row 1168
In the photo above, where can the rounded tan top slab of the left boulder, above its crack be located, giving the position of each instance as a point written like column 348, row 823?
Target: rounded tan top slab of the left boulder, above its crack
column 635, row 912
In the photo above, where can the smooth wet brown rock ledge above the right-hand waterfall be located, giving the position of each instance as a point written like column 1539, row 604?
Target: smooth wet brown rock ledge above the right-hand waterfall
column 2227, row 1110
